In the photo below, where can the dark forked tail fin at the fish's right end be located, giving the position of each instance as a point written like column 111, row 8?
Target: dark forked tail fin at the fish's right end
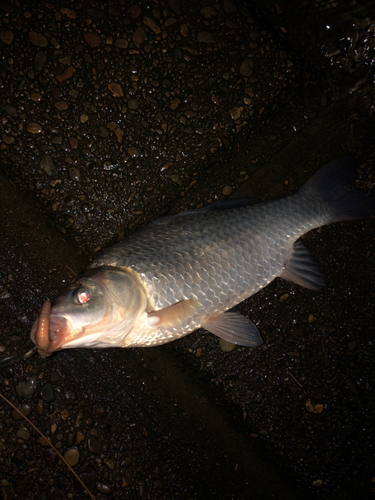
column 333, row 184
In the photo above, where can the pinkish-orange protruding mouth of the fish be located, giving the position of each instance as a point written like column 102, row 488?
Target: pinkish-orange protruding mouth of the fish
column 49, row 332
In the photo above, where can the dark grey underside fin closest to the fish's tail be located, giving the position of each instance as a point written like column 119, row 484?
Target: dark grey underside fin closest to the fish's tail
column 304, row 269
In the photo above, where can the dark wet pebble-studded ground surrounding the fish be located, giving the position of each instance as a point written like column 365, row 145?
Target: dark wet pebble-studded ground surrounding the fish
column 116, row 113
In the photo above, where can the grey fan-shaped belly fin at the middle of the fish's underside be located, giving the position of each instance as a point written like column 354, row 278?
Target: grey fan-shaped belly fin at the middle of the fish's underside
column 234, row 328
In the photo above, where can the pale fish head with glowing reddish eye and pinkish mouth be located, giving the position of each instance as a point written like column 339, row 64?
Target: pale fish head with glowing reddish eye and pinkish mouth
column 96, row 310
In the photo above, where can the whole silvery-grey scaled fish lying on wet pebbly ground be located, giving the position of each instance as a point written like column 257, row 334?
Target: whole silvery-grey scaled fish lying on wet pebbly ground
column 188, row 271
